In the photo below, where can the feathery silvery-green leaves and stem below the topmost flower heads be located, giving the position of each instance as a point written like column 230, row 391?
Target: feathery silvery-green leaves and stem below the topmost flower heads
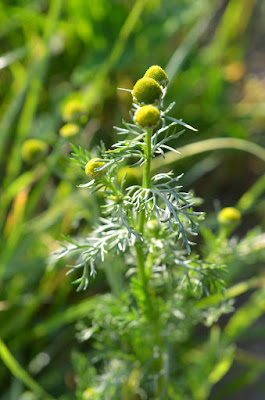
column 134, row 333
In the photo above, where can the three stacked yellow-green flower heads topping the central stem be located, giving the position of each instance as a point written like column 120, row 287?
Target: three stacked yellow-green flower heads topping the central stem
column 148, row 93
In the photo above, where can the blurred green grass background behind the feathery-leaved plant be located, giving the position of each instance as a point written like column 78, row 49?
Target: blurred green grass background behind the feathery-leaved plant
column 53, row 52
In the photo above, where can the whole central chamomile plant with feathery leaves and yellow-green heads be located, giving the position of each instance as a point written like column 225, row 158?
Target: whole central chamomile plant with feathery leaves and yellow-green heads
column 150, row 225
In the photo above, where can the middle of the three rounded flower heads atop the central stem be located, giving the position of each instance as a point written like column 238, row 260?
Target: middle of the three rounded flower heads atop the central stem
column 147, row 91
